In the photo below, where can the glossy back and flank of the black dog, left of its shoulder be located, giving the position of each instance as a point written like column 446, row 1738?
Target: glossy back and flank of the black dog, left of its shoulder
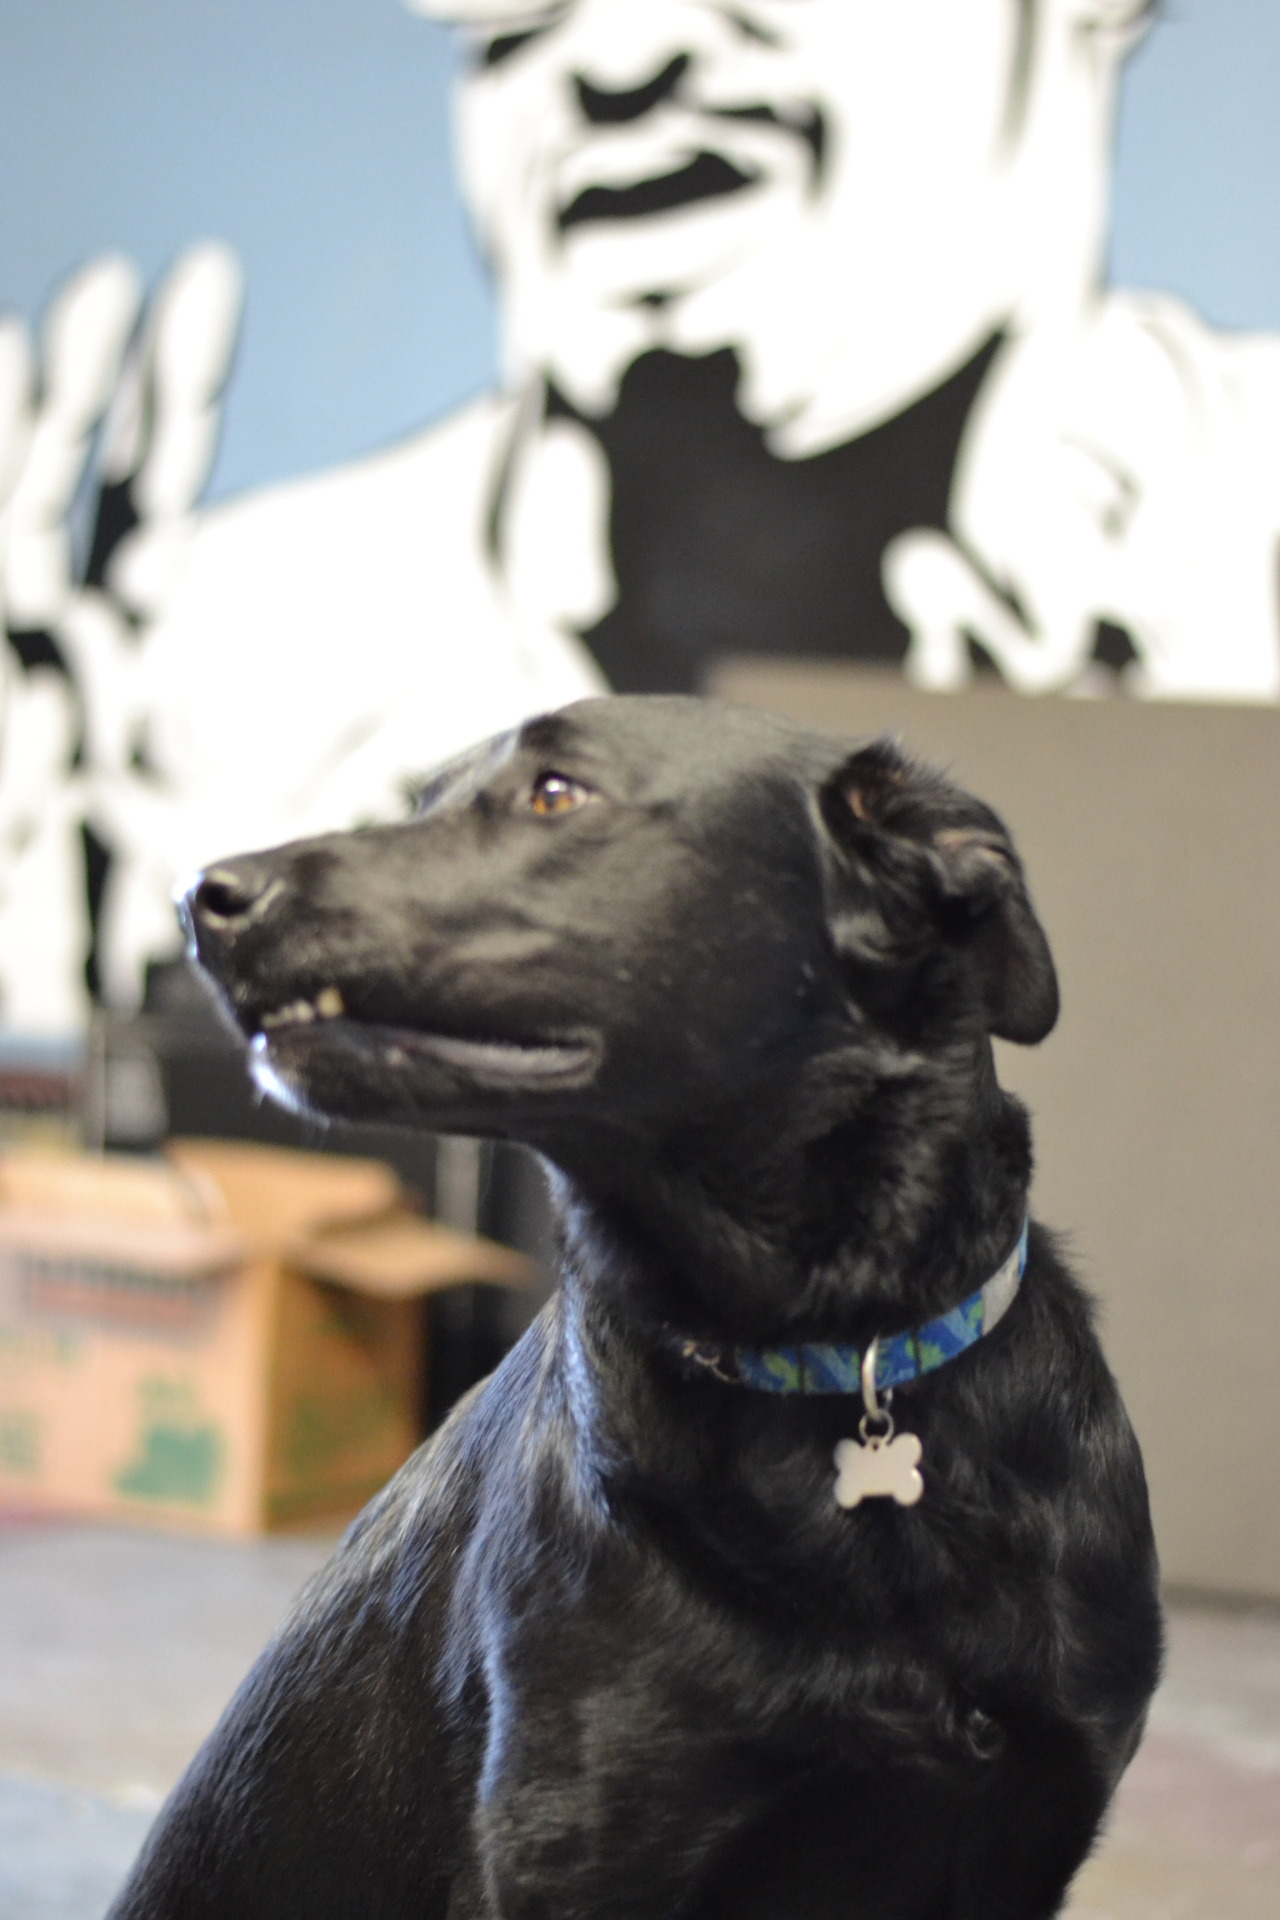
column 367, row 1683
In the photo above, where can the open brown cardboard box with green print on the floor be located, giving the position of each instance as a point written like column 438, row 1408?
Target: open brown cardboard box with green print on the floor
column 227, row 1339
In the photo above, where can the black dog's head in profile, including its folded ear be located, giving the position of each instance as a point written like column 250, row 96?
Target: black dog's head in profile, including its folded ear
column 625, row 915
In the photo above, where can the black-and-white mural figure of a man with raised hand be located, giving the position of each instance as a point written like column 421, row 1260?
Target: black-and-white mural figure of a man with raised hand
column 807, row 350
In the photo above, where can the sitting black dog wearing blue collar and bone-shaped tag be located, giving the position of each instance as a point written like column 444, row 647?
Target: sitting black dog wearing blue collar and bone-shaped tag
column 609, row 1648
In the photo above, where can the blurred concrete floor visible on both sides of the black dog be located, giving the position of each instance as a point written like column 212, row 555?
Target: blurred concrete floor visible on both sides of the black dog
column 118, row 1652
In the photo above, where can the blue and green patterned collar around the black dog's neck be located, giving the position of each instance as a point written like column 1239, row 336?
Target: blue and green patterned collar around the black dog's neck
column 828, row 1368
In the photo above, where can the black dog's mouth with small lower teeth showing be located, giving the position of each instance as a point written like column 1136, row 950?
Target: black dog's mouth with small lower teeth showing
column 300, row 1042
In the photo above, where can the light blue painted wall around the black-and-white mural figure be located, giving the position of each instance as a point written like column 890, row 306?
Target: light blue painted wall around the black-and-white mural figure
column 316, row 137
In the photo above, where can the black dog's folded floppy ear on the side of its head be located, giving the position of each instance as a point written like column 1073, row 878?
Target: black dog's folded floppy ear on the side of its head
column 930, row 867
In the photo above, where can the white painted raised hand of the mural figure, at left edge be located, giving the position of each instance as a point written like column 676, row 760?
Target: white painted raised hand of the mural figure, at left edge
column 126, row 420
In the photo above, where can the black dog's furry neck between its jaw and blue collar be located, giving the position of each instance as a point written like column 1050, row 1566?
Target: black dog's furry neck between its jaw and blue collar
column 807, row 1222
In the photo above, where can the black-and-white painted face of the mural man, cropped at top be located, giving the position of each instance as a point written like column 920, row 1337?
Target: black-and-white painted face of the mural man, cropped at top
column 836, row 187
